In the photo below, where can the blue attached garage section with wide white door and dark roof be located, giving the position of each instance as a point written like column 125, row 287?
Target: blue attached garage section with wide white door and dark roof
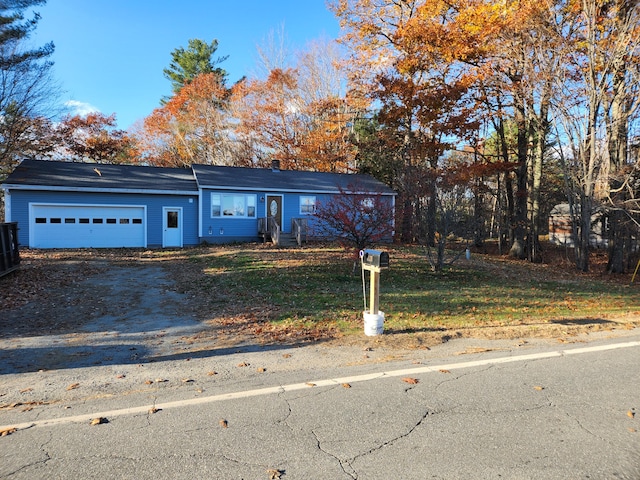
column 89, row 205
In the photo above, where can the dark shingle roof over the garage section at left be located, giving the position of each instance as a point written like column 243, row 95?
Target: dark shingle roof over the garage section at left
column 43, row 173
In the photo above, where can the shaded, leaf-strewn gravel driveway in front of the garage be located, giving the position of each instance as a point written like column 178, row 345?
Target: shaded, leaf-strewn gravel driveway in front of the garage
column 118, row 314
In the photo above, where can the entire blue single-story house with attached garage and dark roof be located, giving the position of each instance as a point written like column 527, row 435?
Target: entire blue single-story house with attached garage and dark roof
column 76, row 205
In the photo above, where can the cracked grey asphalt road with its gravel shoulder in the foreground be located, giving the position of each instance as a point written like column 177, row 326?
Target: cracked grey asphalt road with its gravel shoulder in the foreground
column 504, row 410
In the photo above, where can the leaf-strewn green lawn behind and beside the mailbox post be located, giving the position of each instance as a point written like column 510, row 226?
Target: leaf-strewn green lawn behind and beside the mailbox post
column 315, row 287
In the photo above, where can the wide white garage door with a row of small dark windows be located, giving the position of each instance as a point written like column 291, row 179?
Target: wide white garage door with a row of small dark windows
column 68, row 225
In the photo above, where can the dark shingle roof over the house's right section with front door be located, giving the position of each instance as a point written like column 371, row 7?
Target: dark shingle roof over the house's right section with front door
column 266, row 179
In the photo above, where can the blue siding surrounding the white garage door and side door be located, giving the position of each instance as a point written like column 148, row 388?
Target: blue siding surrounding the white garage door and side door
column 20, row 200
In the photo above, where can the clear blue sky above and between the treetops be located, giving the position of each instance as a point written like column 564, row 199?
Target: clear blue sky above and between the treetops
column 110, row 53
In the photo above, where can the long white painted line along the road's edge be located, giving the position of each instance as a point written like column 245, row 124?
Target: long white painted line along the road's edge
column 318, row 383
